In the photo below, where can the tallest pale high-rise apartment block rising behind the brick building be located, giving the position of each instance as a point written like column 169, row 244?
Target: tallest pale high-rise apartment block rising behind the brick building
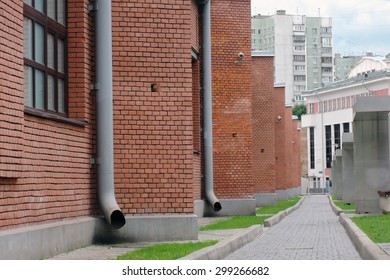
column 303, row 50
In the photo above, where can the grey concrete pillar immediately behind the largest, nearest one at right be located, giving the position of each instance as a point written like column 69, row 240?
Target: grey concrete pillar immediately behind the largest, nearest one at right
column 348, row 175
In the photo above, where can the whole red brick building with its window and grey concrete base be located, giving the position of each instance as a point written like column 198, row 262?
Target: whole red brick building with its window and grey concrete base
column 53, row 166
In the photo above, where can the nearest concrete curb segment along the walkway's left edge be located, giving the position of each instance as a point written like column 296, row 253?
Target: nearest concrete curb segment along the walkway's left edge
column 227, row 246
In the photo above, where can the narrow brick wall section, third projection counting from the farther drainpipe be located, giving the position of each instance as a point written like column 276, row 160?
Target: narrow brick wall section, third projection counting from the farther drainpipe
column 280, row 136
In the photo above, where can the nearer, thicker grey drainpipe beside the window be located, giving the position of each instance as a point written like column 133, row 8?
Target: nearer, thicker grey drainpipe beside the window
column 104, row 116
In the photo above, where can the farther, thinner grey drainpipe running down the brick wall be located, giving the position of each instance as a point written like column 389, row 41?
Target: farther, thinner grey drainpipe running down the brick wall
column 207, row 109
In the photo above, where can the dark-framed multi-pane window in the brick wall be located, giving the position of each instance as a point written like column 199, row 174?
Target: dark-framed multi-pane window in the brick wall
column 45, row 55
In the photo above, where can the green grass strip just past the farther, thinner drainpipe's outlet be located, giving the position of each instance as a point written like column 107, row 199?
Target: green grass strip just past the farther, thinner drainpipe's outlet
column 236, row 222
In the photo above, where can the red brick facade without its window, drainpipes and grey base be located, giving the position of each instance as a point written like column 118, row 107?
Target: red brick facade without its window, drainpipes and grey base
column 46, row 171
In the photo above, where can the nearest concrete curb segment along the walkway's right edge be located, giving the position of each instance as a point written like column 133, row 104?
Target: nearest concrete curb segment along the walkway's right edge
column 366, row 248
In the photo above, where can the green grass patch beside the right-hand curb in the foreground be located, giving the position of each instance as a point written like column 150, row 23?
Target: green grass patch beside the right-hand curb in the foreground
column 377, row 228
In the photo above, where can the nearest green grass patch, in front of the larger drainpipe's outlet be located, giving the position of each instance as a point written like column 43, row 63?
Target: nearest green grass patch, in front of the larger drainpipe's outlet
column 168, row 251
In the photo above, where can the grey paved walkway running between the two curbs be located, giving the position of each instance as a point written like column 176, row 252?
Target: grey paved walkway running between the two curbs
column 312, row 232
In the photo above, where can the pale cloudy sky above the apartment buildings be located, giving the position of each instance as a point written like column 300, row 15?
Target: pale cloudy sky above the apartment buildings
column 359, row 26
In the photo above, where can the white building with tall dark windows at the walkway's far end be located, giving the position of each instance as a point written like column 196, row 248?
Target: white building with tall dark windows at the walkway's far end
column 330, row 112
